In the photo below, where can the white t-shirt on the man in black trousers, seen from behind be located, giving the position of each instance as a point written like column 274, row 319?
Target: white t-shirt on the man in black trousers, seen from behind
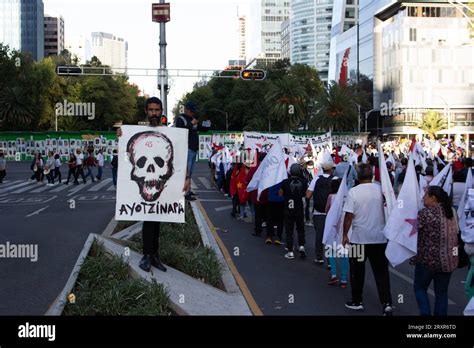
column 365, row 201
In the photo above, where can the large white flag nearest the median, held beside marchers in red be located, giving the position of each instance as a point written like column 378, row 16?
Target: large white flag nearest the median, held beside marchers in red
column 271, row 171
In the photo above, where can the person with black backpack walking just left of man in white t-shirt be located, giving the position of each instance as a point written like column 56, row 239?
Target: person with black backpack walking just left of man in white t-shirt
column 320, row 189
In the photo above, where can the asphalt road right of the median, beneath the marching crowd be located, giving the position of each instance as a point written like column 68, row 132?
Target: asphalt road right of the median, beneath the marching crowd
column 274, row 281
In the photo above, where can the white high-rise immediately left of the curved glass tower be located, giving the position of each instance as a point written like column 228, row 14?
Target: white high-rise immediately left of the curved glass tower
column 264, row 27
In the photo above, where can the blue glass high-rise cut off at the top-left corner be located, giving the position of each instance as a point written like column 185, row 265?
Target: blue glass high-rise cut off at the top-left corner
column 21, row 26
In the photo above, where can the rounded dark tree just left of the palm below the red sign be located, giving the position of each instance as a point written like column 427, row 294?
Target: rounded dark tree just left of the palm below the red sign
column 285, row 99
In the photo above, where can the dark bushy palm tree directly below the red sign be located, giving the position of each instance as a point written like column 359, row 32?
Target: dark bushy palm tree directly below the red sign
column 335, row 109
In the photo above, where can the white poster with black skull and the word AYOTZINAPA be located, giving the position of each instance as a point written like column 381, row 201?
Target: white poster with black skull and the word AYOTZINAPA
column 151, row 174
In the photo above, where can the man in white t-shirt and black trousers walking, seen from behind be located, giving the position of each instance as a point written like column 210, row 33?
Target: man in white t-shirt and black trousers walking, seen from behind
column 364, row 212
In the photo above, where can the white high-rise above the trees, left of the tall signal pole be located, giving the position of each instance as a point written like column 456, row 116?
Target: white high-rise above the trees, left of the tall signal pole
column 111, row 51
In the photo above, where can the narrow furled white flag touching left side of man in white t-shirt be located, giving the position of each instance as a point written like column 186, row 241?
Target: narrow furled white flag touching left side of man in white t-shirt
column 334, row 219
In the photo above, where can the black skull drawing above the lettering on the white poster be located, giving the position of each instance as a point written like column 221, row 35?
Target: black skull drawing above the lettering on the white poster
column 151, row 155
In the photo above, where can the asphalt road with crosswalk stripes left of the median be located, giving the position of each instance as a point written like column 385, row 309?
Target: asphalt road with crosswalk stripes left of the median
column 37, row 214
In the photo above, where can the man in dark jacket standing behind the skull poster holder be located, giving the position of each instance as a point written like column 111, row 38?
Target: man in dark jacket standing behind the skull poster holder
column 189, row 121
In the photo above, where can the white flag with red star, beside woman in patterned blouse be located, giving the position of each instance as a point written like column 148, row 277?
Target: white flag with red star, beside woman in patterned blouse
column 402, row 226
